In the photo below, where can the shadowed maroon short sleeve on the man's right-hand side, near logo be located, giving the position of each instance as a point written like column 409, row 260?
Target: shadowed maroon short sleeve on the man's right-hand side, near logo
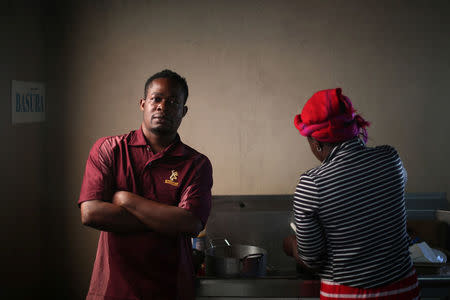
column 196, row 197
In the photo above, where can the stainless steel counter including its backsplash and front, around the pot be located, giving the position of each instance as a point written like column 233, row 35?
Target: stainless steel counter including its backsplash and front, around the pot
column 263, row 220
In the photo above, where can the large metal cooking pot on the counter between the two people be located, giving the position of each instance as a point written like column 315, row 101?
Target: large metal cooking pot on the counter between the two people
column 235, row 260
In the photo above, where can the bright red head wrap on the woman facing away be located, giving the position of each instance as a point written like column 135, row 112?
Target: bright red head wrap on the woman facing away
column 329, row 116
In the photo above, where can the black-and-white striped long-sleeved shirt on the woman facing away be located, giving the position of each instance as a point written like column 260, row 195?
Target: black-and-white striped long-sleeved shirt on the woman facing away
column 351, row 218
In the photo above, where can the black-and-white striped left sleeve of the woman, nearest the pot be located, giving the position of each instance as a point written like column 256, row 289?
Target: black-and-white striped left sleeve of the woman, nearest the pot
column 309, row 233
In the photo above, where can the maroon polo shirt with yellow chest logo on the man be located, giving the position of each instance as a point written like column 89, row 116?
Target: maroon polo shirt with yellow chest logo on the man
column 146, row 265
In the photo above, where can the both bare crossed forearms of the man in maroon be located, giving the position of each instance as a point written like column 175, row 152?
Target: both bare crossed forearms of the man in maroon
column 130, row 213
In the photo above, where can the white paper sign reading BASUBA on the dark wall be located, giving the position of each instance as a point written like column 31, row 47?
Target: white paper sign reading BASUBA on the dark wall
column 28, row 102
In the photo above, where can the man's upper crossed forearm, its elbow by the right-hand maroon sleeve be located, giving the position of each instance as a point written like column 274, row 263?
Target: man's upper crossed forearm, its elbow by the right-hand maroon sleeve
column 158, row 216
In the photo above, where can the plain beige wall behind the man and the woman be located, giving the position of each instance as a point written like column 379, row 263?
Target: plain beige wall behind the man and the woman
column 250, row 66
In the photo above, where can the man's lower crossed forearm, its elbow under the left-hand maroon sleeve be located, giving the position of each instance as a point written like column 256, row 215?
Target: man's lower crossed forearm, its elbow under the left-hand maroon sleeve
column 110, row 217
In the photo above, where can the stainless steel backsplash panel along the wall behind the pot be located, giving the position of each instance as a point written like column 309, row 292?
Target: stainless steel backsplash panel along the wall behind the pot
column 263, row 220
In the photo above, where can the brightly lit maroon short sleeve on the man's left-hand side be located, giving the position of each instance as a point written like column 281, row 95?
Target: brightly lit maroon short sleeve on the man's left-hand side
column 97, row 180
